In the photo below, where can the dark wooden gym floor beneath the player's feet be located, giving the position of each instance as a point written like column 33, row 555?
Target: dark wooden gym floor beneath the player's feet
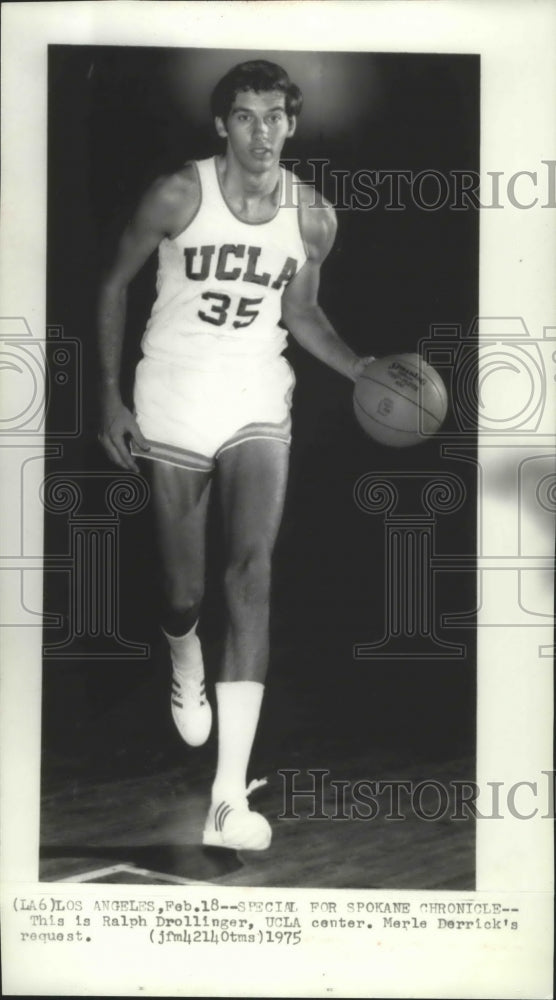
column 124, row 800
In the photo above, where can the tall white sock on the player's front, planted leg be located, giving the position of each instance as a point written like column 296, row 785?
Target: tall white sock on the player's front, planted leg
column 239, row 706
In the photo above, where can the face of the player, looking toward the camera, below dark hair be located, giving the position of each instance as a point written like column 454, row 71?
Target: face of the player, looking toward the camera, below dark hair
column 256, row 129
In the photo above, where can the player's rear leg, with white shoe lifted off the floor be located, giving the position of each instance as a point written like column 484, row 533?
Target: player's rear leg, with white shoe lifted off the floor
column 180, row 499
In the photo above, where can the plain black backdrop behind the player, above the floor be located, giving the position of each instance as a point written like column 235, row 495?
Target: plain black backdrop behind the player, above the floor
column 118, row 117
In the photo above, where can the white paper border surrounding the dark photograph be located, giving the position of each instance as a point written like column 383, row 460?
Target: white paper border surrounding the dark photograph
column 516, row 43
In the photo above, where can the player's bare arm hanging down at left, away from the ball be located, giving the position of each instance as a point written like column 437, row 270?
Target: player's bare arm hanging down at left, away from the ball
column 166, row 209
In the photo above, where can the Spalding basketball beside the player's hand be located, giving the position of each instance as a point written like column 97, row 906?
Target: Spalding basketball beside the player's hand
column 400, row 400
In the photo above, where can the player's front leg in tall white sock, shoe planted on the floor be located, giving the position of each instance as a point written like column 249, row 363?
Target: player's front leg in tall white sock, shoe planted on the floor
column 252, row 481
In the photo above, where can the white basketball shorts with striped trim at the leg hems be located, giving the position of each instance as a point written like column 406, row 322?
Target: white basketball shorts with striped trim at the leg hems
column 190, row 417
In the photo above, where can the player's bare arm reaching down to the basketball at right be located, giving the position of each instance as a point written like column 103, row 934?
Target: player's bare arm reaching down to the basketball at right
column 301, row 312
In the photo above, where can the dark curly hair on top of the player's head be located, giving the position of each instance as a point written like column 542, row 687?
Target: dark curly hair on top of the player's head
column 258, row 75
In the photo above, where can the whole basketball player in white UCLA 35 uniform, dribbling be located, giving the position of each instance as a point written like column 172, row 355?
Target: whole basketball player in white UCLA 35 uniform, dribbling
column 240, row 245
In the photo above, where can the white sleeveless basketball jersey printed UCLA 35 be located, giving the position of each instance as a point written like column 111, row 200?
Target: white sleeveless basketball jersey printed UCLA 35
column 220, row 283
